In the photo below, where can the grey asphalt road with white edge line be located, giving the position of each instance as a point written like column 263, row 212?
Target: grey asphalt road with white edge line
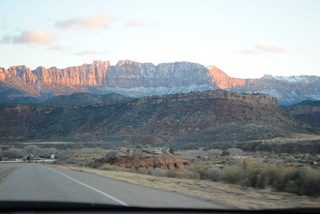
column 39, row 182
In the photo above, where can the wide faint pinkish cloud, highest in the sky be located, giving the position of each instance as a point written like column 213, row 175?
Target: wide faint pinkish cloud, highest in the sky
column 92, row 23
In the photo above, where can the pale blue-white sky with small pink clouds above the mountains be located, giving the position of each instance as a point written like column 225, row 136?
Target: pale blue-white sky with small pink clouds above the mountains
column 244, row 38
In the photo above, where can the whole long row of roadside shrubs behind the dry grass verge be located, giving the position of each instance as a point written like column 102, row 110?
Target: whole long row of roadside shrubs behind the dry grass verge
column 301, row 181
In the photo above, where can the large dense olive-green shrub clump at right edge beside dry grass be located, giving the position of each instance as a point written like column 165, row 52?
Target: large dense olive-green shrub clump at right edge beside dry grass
column 301, row 181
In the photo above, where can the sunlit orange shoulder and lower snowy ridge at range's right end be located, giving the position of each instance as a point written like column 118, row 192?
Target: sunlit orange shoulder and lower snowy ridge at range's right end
column 287, row 90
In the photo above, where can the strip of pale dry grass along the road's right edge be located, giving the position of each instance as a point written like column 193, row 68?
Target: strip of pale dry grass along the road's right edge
column 232, row 195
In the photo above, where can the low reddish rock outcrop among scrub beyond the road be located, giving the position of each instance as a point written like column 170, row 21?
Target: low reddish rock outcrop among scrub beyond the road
column 144, row 158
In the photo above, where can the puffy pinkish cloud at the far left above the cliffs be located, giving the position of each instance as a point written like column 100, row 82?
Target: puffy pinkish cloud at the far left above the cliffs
column 28, row 37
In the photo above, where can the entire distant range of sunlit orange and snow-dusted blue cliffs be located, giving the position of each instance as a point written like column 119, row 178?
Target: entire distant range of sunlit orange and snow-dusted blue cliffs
column 134, row 79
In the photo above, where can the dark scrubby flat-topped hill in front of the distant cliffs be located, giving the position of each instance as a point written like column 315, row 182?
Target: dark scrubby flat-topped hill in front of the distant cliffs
column 158, row 119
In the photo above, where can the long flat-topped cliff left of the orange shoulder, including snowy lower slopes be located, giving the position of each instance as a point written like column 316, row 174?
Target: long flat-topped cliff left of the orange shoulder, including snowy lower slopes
column 126, row 77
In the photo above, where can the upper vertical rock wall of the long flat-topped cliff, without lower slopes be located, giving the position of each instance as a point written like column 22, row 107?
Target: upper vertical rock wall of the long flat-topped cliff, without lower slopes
column 126, row 74
